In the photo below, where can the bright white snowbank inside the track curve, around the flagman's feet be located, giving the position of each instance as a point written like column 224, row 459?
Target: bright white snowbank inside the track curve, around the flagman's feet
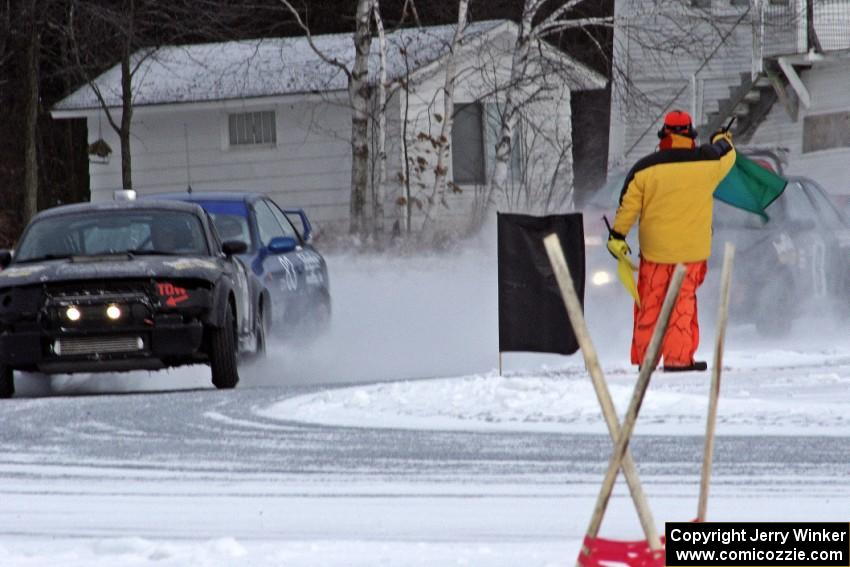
column 772, row 392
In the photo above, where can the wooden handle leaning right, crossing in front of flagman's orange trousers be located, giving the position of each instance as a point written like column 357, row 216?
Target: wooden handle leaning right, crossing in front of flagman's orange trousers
column 630, row 419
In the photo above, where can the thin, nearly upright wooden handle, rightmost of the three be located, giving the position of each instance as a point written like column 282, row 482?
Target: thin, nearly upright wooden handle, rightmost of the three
column 716, row 368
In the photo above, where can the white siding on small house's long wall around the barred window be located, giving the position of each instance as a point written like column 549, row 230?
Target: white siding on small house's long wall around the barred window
column 309, row 167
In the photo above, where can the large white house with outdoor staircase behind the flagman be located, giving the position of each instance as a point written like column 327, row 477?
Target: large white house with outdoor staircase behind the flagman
column 782, row 67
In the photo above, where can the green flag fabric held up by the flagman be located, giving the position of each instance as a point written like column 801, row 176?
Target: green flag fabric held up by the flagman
column 750, row 187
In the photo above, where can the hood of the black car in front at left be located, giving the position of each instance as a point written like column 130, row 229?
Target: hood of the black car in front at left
column 110, row 267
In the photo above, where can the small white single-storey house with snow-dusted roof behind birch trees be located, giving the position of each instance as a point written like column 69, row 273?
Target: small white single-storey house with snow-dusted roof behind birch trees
column 271, row 116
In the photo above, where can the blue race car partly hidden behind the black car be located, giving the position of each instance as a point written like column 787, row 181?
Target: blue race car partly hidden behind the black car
column 293, row 275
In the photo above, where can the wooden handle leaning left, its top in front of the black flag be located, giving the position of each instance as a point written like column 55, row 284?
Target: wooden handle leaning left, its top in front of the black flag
column 591, row 360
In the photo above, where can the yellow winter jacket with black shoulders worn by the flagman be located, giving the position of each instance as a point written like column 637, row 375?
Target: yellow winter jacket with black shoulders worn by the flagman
column 672, row 191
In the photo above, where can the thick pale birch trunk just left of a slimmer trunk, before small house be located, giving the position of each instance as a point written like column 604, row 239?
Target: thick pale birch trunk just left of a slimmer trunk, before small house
column 358, row 92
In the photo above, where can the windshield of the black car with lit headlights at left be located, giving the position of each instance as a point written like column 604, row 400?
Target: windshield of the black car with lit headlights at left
column 102, row 232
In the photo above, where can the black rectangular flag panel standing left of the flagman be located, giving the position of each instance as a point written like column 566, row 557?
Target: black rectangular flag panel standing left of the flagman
column 532, row 316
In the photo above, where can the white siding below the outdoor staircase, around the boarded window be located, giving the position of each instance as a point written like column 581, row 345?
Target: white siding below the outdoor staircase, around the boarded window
column 828, row 85
